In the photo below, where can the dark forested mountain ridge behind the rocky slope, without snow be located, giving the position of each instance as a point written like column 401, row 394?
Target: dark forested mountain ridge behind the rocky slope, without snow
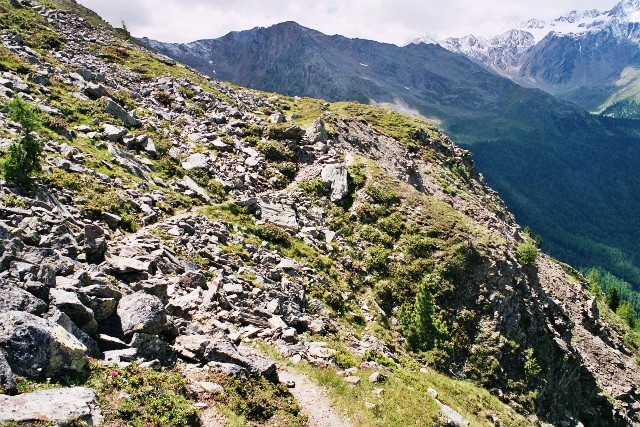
column 567, row 174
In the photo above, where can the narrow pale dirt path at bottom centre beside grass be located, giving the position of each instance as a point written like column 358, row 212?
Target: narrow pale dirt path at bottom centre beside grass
column 313, row 400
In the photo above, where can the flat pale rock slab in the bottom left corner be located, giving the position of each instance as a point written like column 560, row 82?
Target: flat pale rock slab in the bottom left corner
column 59, row 405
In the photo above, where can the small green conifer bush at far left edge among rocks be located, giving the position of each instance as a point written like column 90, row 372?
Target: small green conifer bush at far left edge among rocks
column 25, row 155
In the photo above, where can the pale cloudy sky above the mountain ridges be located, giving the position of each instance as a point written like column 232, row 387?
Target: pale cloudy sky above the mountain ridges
column 396, row 21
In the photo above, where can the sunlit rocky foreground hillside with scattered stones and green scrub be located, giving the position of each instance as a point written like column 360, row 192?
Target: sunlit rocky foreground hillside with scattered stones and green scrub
column 194, row 253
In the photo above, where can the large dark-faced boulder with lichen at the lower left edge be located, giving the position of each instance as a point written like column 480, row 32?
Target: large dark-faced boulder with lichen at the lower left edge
column 38, row 348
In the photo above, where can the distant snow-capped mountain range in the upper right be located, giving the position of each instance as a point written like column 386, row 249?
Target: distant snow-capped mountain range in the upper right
column 590, row 58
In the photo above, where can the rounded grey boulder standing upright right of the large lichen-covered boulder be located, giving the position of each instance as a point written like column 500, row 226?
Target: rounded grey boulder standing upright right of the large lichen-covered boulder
column 142, row 313
